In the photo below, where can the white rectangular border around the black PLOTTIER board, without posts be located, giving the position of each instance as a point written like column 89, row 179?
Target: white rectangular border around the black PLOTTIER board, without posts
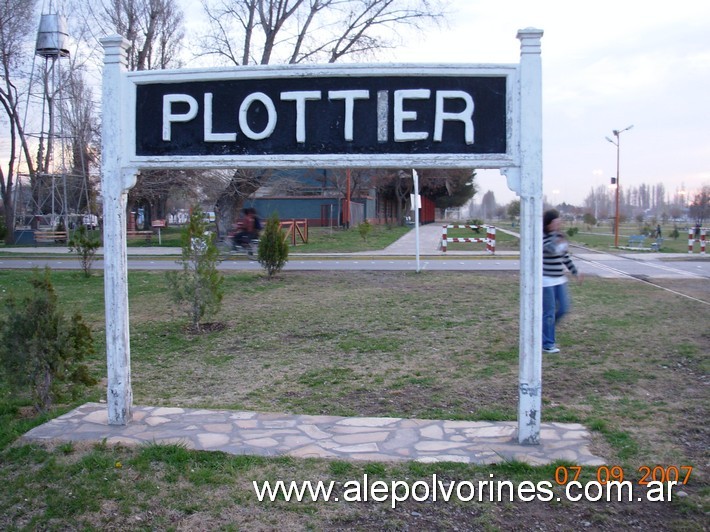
column 265, row 72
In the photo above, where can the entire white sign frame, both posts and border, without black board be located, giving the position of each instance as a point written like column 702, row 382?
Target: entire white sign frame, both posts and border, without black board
column 522, row 164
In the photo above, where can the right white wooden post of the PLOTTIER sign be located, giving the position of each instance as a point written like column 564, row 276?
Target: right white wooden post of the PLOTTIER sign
column 530, row 369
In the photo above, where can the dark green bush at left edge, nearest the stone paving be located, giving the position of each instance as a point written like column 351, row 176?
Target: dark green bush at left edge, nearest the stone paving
column 40, row 349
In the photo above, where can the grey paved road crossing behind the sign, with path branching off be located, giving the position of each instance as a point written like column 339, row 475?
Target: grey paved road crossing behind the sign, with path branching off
column 398, row 256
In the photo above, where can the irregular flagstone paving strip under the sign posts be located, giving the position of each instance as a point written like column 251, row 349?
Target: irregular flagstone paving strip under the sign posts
column 305, row 436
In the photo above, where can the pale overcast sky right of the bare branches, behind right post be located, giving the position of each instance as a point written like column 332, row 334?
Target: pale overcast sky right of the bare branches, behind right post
column 607, row 64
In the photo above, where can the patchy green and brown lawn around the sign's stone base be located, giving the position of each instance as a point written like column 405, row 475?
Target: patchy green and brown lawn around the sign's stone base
column 634, row 369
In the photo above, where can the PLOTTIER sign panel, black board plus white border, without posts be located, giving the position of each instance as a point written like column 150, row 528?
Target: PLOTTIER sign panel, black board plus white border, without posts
column 408, row 115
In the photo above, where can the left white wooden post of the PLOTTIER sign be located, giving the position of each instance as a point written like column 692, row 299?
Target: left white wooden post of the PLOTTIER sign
column 115, row 183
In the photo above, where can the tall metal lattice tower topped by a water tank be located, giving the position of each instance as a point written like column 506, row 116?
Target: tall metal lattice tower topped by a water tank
column 58, row 194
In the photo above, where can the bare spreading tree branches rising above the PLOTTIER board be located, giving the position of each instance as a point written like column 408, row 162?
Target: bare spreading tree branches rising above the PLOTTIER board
column 293, row 31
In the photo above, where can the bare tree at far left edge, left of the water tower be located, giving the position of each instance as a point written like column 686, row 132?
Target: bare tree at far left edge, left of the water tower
column 16, row 22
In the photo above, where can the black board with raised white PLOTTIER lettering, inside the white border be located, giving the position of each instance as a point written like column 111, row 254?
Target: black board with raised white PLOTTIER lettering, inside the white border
column 324, row 115
